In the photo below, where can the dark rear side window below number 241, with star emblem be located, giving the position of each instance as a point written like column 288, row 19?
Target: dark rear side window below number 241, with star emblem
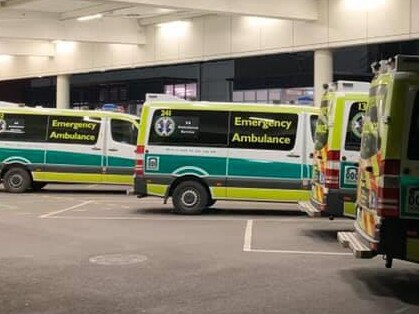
column 192, row 128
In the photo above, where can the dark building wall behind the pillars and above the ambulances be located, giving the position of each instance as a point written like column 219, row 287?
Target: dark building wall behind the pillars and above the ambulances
column 216, row 79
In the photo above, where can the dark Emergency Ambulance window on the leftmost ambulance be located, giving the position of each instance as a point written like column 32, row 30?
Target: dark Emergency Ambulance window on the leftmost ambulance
column 73, row 130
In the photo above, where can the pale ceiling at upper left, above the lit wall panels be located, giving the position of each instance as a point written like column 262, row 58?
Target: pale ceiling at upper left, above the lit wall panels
column 31, row 27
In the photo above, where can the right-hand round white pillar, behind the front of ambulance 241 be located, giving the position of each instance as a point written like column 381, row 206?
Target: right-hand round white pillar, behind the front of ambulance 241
column 323, row 72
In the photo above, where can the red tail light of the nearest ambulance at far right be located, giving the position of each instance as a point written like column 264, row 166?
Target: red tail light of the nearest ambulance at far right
column 388, row 189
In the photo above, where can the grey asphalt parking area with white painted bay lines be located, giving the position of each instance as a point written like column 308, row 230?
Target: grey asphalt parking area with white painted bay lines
column 93, row 249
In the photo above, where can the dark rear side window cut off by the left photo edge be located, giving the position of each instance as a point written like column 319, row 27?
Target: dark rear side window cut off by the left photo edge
column 22, row 127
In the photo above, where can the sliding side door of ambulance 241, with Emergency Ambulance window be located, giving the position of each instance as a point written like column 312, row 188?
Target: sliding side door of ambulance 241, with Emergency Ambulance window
column 265, row 156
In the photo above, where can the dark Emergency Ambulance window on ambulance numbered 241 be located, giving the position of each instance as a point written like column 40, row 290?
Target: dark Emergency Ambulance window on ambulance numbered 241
column 255, row 130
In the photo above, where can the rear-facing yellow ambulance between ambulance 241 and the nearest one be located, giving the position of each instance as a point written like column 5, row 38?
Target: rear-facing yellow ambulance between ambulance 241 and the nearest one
column 337, row 144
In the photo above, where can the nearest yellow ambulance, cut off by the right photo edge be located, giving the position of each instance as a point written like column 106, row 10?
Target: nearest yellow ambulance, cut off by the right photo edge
column 387, row 202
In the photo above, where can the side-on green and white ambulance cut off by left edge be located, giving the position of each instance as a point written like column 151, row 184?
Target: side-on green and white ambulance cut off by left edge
column 40, row 146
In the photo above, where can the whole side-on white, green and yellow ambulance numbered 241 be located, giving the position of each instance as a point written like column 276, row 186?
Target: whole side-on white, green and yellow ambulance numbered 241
column 200, row 152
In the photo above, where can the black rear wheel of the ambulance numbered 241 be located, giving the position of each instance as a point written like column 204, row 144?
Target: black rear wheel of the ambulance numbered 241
column 190, row 198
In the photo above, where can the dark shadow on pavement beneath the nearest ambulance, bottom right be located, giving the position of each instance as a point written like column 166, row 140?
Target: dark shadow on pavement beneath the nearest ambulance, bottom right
column 398, row 284
